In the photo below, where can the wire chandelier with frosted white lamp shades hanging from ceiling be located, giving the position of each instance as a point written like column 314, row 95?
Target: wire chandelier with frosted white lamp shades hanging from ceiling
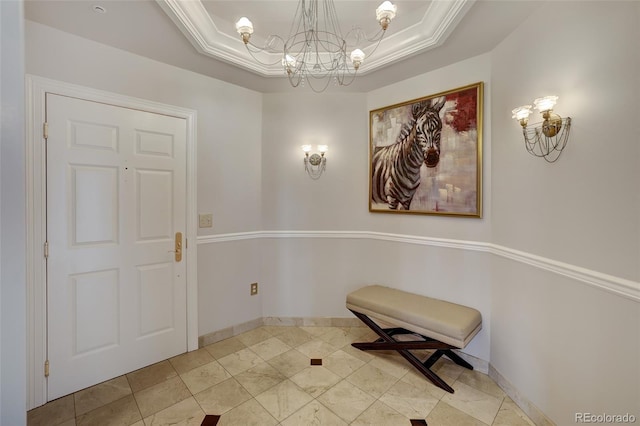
column 316, row 53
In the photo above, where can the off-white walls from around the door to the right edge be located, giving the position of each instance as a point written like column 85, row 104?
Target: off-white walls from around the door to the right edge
column 550, row 336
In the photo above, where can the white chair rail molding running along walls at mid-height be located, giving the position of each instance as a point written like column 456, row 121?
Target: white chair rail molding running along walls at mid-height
column 612, row 284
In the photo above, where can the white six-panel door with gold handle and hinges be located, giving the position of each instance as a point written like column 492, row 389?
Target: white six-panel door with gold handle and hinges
column 116, row 291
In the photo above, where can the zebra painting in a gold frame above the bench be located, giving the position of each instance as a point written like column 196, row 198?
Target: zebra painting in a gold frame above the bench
column 425, row 155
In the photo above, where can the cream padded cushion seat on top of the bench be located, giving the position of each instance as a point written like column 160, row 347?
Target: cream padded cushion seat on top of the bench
column 446, row 322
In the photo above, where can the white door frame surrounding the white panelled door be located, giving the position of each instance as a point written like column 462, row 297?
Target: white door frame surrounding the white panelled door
column 36, row 88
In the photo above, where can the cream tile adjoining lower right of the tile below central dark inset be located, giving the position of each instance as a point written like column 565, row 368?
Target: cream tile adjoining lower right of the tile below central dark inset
column 346, row 400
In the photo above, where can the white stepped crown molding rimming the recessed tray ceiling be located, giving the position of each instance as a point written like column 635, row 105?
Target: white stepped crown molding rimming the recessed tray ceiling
column 192, row 18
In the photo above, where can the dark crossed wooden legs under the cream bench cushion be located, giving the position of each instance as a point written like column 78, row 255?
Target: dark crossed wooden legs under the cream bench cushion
column 387, row 342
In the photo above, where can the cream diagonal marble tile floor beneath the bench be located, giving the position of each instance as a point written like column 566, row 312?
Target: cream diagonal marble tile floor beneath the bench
column 264, row 377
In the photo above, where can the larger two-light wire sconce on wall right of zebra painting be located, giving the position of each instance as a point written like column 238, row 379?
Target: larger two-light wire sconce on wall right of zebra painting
column 546, row 139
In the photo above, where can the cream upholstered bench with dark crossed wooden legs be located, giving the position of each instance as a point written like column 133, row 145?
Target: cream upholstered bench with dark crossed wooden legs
column 434, row 324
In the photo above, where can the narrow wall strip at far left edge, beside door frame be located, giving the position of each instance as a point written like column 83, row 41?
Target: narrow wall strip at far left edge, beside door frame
column 13, row 342
